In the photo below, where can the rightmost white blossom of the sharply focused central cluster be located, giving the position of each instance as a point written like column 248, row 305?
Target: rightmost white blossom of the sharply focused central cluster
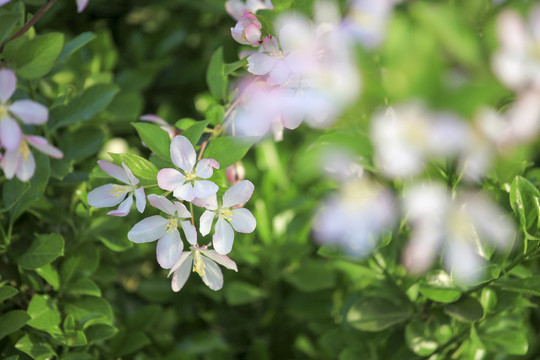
column 241, row 219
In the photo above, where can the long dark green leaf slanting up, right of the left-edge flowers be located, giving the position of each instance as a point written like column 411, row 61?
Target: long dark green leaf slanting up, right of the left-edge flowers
column 84, row 106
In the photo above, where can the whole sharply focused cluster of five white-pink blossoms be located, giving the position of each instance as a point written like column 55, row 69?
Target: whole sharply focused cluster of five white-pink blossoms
column 189, row 182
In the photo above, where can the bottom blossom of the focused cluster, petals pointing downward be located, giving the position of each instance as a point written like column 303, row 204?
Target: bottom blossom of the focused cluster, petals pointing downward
column 203, row 262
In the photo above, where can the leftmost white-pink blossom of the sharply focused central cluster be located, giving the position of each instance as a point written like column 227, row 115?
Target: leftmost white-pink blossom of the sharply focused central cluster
column 112, row 194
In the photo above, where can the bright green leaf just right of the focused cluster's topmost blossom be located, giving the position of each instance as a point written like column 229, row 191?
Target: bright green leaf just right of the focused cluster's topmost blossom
column 228, row 150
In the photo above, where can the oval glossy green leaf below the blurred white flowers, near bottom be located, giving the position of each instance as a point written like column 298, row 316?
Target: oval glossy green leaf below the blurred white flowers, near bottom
column 375, row 314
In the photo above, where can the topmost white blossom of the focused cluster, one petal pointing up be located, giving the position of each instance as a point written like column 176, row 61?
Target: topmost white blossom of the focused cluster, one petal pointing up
column 189, row 183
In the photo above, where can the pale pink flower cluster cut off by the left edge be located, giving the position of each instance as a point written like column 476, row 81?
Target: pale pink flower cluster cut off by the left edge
column 17, row 159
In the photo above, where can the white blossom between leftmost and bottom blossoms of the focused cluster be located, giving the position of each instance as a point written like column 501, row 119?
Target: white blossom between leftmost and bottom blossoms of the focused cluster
column 166, row 230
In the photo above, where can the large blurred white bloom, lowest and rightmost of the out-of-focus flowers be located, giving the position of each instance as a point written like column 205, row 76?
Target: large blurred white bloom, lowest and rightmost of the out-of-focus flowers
column 460, row 227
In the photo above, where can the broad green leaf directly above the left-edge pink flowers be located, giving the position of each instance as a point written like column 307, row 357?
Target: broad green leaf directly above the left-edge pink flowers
column 34, row 58
